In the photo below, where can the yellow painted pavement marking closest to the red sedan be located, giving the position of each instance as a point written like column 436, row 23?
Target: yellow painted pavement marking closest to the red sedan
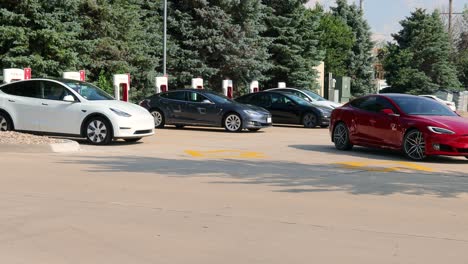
column 384, row 166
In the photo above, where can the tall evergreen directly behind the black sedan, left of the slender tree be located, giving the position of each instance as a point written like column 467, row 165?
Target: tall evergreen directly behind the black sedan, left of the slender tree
column 294, row 33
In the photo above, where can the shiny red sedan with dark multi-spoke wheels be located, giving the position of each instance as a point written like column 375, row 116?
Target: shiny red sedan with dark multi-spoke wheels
column 418, row 126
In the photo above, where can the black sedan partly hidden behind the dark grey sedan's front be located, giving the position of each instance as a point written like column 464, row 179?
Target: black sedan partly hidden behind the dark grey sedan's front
column 287, row 108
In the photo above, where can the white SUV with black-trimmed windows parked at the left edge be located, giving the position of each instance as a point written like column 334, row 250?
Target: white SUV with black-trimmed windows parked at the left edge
column 74, row 108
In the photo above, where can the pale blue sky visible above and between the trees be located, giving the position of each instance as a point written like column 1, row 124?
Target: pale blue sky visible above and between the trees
column 384, row 15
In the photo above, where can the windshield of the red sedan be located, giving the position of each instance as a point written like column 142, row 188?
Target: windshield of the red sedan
column 422, row 106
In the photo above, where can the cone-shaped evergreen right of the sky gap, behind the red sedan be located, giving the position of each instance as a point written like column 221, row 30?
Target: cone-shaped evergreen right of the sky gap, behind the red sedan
column 419, row 62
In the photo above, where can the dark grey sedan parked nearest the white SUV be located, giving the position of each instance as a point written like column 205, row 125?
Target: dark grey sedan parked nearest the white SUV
column 204, row 108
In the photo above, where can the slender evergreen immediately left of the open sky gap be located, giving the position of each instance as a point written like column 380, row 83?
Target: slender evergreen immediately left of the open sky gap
column 360, row 59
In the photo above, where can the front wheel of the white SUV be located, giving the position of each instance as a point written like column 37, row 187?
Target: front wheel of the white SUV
column 103, row 136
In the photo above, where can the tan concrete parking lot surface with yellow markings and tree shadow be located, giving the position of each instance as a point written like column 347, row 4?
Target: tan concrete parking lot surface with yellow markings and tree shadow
column 201, row 195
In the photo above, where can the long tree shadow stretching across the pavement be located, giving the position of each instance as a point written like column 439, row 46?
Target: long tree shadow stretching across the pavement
column 286, row 176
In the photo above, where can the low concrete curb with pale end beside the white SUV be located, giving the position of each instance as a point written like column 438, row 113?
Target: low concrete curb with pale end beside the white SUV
column 68, row 146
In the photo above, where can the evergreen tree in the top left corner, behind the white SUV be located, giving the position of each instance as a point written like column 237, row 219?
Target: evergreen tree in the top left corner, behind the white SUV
column 39, row 34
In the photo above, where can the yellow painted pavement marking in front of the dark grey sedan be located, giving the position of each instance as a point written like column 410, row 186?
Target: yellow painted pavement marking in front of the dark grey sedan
column 225, row 154
